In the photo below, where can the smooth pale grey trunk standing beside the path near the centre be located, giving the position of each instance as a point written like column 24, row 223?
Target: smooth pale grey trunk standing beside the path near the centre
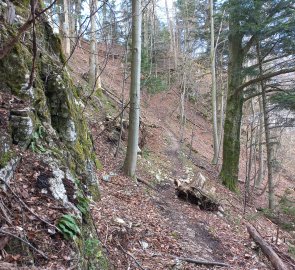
column 133, row 134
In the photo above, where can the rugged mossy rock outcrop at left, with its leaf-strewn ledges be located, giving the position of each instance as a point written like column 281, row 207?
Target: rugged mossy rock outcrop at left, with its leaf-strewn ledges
column 45, row 120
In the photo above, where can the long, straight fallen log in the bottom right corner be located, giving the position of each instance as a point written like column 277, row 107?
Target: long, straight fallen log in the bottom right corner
column 277, row 263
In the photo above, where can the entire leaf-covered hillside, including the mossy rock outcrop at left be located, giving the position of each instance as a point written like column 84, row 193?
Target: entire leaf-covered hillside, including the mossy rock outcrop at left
column 65, row 201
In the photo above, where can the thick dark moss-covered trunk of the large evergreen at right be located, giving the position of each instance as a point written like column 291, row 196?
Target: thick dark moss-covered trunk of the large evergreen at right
column 231, row 139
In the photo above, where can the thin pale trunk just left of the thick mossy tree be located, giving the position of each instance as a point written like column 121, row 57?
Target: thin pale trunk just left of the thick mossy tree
column 213, row 90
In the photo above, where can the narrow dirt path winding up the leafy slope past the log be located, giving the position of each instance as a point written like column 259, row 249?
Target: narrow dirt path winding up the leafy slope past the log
column 192, row 234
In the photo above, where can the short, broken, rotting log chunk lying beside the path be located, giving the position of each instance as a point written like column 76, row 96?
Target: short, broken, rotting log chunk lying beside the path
column 196, row 195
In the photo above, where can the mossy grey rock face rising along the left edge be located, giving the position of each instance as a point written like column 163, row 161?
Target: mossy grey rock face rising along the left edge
column 55, row 108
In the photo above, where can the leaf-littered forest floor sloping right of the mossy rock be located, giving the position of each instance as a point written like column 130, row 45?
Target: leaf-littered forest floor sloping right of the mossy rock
column 148, row 226
